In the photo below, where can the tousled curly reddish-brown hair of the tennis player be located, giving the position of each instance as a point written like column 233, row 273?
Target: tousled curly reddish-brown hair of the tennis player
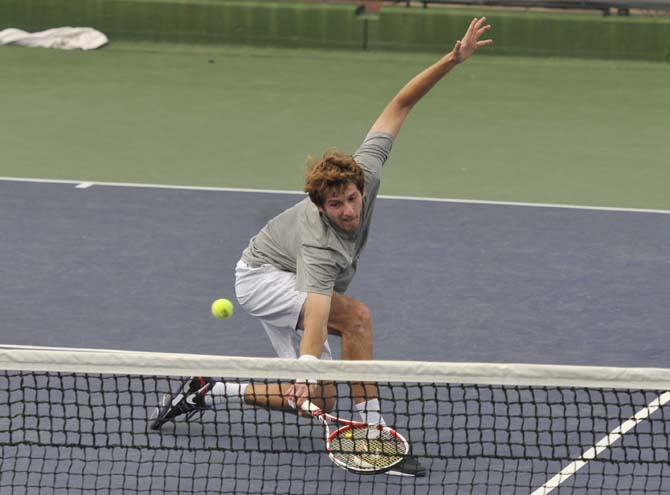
column 332, row 173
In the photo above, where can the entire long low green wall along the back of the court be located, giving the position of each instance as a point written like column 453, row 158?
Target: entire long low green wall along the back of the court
column 336, row 26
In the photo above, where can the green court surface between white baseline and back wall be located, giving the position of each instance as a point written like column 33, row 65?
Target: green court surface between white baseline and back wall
column 498, row 128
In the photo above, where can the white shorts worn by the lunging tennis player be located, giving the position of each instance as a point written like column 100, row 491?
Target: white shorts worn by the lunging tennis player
column 269, row 294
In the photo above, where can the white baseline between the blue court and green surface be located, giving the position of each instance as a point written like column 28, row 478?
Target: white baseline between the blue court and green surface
column 83, row 184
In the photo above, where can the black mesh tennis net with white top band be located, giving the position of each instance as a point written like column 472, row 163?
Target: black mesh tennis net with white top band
column 76, row 421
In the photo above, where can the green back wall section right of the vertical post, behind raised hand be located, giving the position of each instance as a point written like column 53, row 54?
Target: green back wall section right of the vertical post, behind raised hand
column 528, row 33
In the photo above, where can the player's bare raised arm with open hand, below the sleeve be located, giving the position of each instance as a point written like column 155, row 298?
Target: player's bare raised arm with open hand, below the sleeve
column 394, row 114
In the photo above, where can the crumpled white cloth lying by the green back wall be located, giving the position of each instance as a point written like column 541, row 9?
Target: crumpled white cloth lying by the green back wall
column 66, row 38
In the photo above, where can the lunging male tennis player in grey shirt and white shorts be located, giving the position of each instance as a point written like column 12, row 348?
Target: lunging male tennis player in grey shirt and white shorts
column 295, row 271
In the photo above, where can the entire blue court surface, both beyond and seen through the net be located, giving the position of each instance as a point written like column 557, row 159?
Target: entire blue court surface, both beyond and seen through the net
column 136, row 268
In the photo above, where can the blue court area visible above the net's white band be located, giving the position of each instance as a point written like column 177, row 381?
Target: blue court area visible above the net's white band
column 138, row 267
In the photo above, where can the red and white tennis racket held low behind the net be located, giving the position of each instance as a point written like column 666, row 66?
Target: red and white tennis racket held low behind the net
column 359, row 446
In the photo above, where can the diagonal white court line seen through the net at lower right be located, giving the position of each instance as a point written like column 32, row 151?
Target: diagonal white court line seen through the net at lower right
column 603, row 444
